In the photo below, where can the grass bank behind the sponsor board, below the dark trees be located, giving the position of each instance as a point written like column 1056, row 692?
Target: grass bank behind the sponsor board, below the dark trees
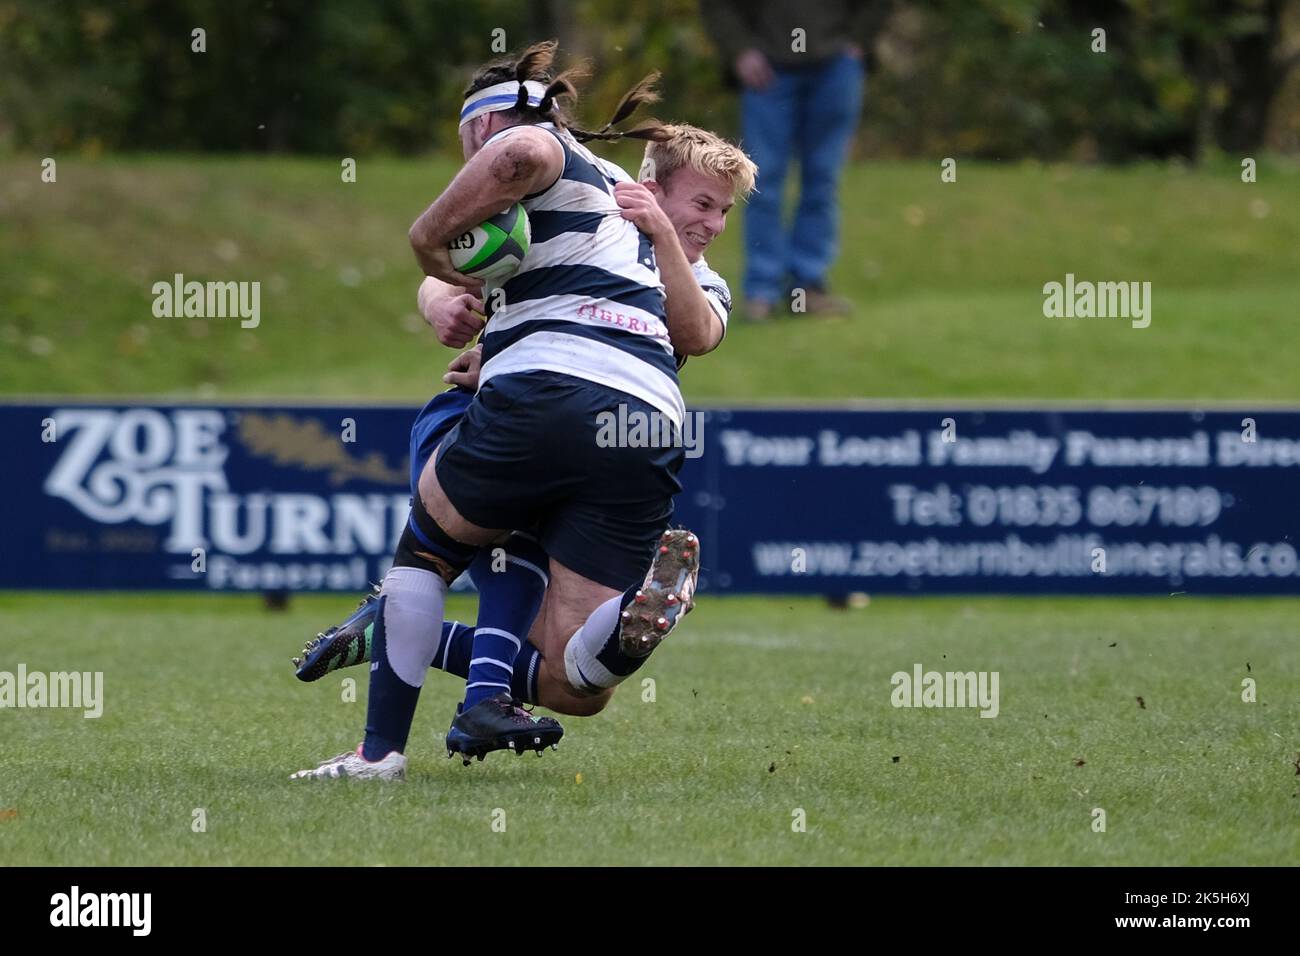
column 947, row 282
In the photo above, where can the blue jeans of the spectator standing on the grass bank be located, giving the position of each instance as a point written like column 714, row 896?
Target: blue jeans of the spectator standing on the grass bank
column 811, row 113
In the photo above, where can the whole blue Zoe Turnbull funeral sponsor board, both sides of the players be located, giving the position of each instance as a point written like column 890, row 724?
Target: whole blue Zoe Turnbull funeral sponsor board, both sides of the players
column 816, row 501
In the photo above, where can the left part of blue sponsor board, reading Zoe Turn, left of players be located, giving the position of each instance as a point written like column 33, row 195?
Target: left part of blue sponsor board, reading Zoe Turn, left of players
column 223, row 499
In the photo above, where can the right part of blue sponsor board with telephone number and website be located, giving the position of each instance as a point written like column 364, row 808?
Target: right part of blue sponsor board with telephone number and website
column 1089, row 503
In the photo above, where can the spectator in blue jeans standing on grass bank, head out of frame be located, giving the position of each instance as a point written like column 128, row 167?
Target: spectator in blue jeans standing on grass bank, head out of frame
column 801, row 98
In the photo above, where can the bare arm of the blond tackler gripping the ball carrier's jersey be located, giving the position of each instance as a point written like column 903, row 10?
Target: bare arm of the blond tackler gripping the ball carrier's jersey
column 694, row 326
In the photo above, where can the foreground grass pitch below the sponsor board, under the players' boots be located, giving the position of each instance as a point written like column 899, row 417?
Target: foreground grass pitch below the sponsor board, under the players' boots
column 762, row 707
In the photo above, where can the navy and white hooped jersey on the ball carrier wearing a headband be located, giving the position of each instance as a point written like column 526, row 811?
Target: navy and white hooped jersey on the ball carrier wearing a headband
column 587, row 300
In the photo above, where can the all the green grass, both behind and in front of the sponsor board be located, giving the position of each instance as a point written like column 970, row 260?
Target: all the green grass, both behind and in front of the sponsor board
column 761, row 707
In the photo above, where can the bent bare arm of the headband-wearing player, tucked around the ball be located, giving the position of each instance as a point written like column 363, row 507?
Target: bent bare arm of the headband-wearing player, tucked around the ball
column 504, row 172
